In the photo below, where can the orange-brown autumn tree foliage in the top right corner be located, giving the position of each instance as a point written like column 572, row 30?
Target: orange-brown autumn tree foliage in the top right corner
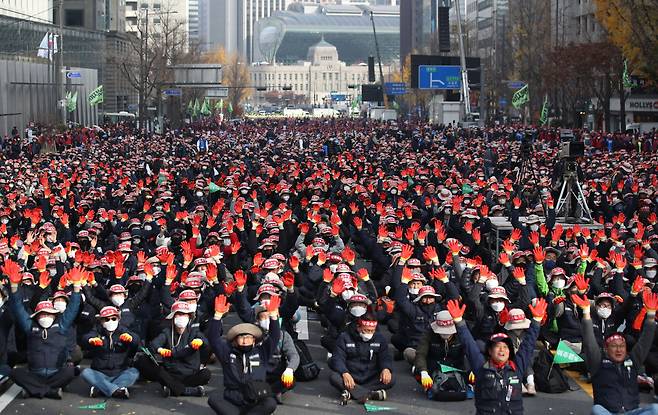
column 632, row 26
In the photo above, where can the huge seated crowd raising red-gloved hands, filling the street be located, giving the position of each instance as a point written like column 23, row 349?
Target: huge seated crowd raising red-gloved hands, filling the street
column 122, row 253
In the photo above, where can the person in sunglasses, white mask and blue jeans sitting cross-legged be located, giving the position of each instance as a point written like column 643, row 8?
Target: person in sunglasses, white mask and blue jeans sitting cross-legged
column 112, row 348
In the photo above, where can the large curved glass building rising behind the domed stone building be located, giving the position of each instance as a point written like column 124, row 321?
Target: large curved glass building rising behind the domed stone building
column 286, row 36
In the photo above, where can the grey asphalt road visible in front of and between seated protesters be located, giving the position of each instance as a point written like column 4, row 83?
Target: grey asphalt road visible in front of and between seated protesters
column 313, row 397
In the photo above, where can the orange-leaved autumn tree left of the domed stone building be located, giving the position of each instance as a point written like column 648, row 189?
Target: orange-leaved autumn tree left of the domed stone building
column 235, row 75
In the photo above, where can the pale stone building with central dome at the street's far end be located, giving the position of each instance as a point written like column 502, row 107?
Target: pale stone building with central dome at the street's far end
column 317, row 77
